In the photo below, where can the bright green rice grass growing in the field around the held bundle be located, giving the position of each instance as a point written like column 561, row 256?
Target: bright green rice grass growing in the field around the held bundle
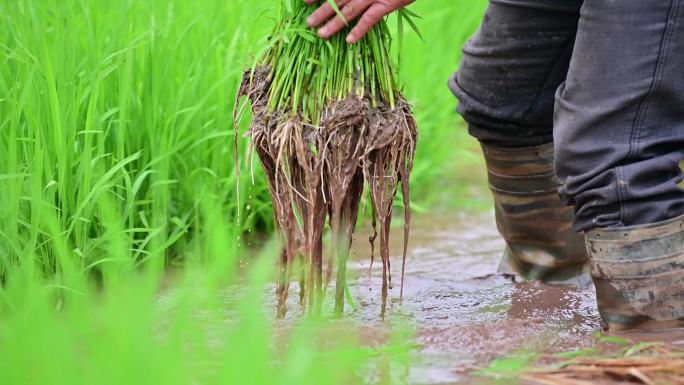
column 116, row 165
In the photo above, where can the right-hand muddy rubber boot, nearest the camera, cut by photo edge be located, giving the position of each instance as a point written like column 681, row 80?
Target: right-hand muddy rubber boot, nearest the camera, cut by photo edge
column 639, row 275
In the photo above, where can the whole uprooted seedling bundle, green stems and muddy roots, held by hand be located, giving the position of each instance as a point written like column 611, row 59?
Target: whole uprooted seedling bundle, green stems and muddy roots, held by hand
column 327, row 117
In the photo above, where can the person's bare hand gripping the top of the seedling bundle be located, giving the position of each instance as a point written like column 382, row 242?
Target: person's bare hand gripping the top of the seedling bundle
column 369, row 12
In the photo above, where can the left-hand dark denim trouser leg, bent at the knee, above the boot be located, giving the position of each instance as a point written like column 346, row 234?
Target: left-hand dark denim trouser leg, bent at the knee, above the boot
column 511, row 68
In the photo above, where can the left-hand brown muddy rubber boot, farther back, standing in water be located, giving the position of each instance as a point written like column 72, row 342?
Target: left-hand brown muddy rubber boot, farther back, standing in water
column 540, row 241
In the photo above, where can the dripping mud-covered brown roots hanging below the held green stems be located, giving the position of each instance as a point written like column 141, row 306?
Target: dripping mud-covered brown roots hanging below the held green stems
column 317, row 173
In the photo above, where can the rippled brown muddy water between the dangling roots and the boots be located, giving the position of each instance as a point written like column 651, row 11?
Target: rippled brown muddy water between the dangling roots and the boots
column 463, row 313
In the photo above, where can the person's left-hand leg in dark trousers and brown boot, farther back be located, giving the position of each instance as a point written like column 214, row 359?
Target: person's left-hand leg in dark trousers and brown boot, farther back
column 506, row 84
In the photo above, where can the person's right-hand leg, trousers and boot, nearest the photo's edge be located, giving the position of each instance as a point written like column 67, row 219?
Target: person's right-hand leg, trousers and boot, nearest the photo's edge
column 619, row 140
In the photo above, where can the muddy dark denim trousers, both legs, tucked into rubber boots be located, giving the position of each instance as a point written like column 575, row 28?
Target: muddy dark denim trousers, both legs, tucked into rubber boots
column 603, row 79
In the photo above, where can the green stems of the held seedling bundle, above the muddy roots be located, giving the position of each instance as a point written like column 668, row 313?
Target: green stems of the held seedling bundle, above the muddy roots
column 308, row 73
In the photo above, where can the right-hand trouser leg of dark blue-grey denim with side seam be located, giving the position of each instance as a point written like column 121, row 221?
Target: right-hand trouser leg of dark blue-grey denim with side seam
column 619, row 119
